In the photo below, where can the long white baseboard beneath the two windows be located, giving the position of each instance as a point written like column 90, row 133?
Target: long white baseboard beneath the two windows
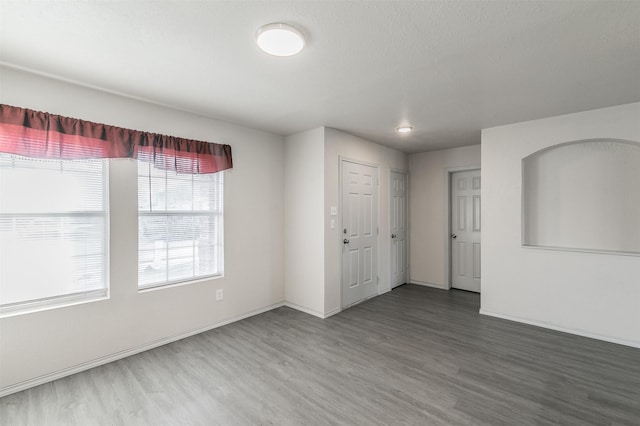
column 123, row 354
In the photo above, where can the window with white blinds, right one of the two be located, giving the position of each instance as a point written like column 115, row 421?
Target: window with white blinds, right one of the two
column 179, row 226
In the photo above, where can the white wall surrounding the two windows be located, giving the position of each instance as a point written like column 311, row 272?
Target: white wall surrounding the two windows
column 43, row 343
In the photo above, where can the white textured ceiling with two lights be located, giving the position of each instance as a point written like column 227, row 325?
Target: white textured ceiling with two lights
column 448, row 68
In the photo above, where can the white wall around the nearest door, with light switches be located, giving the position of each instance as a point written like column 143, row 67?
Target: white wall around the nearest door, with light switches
column 339, row 144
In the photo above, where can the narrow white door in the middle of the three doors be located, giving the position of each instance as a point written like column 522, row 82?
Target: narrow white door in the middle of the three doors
column 398, row 229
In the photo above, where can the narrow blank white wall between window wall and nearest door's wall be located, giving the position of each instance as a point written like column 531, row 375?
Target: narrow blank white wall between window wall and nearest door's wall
column 304, row 220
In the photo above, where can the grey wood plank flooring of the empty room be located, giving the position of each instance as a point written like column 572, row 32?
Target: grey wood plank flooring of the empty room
column 414, row 356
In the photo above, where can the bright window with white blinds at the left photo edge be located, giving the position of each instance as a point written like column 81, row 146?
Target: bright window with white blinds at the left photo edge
column 53, row 231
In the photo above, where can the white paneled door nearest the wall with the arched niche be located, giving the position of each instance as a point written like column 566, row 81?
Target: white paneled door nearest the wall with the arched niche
column 465, row 230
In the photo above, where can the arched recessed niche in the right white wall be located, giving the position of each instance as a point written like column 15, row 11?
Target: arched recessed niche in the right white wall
column 583, row 195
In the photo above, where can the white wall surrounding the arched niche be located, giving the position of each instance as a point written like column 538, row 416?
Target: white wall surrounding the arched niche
column 597, row 295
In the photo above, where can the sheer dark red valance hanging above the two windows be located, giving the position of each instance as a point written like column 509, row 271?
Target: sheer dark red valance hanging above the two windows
column 37, row 134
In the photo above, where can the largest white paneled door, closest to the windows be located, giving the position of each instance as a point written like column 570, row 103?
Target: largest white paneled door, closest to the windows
column 359, row 232
